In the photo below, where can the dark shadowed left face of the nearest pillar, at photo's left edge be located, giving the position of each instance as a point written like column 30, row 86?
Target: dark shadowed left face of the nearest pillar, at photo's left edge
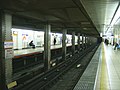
column 2, row 51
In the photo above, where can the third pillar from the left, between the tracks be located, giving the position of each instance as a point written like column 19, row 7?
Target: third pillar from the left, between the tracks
column 64, row 44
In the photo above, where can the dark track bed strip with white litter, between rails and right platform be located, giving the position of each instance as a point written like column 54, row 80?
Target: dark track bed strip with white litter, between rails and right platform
column 70, row 79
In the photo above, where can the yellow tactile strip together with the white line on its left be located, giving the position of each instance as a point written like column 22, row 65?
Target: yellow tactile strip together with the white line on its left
column 102, row 80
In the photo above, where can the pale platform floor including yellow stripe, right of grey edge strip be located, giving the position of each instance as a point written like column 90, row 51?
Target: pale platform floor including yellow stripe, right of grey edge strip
column 109, row 69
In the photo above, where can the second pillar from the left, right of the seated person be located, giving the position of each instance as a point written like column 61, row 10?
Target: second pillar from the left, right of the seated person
column 47, row 45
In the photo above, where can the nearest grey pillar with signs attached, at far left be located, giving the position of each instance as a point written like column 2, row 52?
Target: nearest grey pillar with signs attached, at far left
column 6, row 49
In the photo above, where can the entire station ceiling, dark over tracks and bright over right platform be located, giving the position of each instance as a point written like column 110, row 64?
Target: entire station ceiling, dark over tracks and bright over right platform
column 85, row 16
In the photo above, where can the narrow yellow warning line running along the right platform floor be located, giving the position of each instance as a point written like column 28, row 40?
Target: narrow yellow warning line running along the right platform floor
column 104, row 82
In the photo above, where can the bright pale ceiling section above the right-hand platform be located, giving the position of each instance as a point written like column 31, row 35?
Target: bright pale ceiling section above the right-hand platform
column 100, row 11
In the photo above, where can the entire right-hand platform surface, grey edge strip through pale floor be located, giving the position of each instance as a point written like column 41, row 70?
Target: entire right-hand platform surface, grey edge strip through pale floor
column 103, row 71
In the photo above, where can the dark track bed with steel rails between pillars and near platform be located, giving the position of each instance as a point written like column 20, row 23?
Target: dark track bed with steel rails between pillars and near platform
column 64, row 69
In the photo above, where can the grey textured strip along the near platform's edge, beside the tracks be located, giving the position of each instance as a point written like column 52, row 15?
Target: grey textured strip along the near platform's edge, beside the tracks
column 87, row 80
